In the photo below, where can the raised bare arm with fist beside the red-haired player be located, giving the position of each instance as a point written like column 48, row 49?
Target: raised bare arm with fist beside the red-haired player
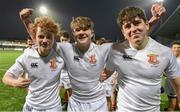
column 25, row 15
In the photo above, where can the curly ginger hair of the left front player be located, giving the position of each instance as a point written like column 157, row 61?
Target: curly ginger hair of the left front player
column 47, row 23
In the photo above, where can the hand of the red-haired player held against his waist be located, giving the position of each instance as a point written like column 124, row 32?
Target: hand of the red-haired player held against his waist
column 22, row 82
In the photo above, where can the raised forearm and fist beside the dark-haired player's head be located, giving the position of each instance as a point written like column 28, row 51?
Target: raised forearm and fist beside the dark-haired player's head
column 157, row 11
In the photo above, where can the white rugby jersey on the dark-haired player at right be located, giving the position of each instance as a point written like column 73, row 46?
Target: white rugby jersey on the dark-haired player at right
column 140, row 75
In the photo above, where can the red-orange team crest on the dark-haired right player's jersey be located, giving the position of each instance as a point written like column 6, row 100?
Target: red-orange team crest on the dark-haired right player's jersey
column 152, row 58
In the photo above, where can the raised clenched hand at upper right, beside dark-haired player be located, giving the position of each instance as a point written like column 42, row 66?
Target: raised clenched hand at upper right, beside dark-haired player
column 157, row 10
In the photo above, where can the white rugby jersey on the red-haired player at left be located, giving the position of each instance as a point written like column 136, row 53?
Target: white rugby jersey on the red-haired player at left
column 44, row 73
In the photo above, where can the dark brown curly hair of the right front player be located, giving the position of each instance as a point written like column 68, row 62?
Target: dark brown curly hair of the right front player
column 129, row 14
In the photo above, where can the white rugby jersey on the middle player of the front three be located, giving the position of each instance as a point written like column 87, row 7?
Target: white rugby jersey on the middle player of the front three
column 85, row 70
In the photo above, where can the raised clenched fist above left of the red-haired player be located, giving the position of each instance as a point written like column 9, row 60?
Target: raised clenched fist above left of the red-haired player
column 25, row 13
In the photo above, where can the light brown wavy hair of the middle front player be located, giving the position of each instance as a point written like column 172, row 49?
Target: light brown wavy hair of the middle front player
column 82, row 22
